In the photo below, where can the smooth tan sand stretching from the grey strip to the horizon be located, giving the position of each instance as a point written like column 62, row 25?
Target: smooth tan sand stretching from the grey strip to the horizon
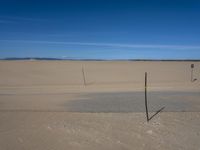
column 99, row 75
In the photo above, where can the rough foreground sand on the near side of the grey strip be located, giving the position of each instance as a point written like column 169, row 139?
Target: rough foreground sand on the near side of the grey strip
column 89, row 131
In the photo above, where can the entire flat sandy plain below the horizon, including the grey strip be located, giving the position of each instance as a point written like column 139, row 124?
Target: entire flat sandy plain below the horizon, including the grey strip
column 47, row 105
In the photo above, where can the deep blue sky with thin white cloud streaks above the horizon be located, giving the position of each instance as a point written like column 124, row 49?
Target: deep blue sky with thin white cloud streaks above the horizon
column 100, row 29
